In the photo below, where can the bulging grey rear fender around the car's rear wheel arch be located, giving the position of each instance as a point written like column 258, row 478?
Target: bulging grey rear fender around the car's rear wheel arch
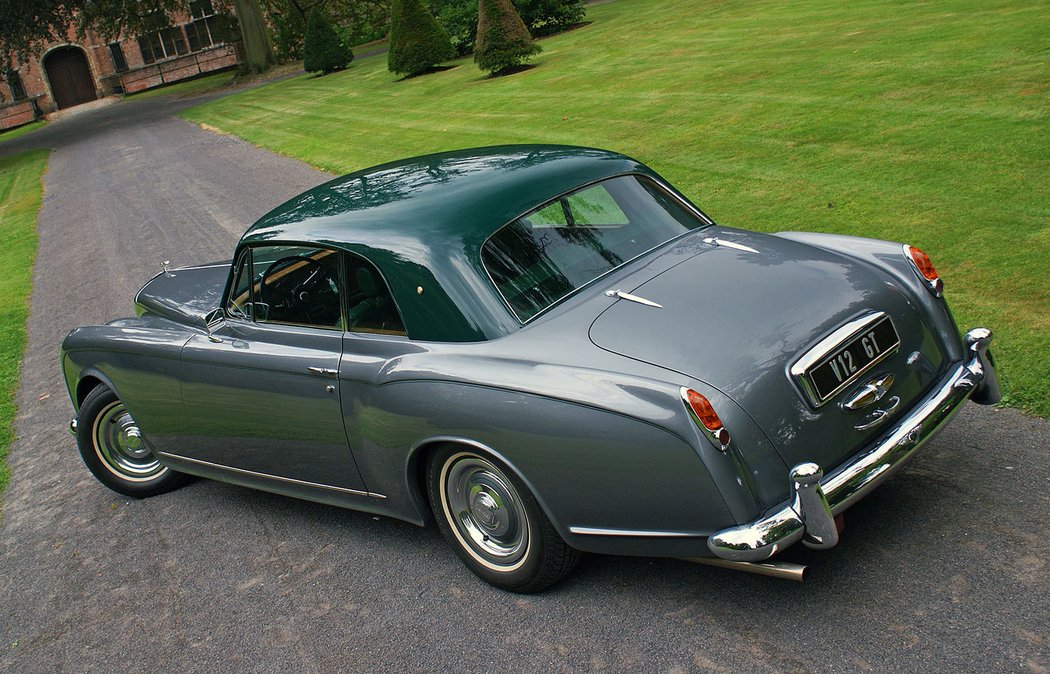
column 645, row 472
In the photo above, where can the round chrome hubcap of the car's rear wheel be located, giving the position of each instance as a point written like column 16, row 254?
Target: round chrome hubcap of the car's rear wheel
column 487, row 512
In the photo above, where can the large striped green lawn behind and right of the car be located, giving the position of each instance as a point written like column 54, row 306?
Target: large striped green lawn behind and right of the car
column 918, row 122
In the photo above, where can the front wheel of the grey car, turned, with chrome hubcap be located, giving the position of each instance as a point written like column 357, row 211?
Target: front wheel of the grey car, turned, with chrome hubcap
column 116, row 452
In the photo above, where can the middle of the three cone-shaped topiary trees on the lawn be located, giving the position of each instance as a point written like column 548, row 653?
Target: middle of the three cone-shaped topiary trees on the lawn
column 417, row 43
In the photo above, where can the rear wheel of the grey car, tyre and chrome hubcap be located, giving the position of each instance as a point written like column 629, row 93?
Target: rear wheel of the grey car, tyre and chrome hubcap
column 495, row 524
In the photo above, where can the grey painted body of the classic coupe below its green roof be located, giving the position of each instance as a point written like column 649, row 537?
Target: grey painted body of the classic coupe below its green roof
column 583, row 404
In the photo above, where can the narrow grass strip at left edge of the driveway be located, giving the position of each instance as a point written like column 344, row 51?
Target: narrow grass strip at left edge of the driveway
column 22, row 196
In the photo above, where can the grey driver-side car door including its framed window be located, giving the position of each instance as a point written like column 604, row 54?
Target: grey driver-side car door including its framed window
column 262, row 391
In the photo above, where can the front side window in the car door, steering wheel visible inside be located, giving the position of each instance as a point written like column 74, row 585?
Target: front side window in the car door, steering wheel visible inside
column 296, row 285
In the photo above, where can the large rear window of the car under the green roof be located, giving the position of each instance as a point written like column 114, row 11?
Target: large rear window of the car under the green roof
column 548, row 255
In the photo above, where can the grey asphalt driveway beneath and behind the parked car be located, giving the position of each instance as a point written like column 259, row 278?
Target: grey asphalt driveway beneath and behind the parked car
column 942, row 570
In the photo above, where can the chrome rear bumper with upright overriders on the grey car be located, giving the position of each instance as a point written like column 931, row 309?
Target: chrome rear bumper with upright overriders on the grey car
column 810, row 515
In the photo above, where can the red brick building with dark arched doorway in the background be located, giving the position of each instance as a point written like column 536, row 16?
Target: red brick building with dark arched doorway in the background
column 77, row 71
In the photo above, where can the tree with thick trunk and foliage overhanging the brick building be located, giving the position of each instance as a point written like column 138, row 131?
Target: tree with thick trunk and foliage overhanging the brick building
column 27, row 27
